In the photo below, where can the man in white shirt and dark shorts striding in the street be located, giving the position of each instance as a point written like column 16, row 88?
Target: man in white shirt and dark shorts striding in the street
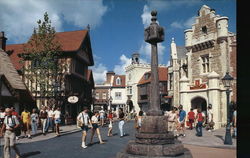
column 84, row 123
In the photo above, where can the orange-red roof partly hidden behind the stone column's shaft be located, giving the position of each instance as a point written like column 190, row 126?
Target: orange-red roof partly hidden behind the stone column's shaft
column 162, row 73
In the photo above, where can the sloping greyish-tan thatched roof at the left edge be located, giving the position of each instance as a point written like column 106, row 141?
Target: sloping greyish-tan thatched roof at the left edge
column 8, row 70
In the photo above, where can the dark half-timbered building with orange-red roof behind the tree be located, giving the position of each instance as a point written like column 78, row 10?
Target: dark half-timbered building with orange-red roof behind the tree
column 74, row 77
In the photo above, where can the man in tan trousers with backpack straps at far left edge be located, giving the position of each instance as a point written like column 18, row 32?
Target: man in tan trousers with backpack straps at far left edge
column 10, row 124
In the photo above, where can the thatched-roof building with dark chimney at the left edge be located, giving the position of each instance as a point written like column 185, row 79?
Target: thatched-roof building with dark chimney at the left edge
column 13, row 92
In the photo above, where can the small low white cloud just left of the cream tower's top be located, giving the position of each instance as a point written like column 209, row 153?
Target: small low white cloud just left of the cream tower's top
column 124, row 62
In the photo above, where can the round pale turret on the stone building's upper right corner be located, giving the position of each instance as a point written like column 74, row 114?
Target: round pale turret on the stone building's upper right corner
column 222, row 27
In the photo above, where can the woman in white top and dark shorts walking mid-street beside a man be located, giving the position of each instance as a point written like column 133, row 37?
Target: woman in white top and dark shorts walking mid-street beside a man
column 95, row 122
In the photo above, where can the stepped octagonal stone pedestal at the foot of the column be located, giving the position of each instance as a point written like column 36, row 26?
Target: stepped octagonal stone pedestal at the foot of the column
column 154, row 140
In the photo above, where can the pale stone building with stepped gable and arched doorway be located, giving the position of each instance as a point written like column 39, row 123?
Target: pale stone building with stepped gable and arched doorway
column 210, row 53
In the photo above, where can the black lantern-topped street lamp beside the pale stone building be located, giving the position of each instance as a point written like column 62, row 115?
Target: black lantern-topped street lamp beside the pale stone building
column 227, row 81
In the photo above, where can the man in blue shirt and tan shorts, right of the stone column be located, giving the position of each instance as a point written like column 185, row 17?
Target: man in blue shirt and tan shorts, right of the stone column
column 181, row 121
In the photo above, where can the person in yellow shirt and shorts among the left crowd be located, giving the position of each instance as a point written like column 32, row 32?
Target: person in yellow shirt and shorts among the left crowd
column 25, row 116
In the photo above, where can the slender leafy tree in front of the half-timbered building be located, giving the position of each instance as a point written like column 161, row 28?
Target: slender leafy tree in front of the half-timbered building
column 42, row 53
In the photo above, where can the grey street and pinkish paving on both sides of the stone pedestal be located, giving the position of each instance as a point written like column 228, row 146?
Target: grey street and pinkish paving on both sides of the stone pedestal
column 68, row 145
